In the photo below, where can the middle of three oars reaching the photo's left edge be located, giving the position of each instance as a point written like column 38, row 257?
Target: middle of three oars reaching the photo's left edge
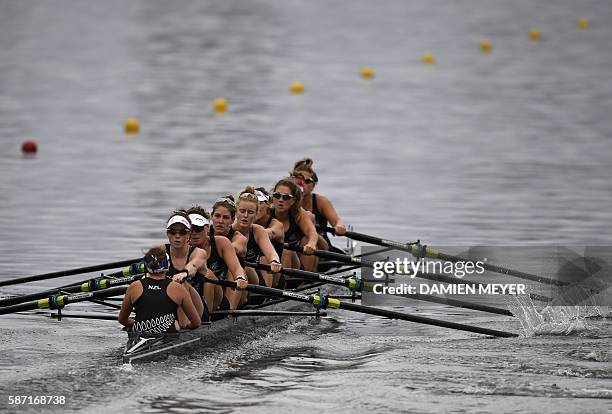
column 83, row 286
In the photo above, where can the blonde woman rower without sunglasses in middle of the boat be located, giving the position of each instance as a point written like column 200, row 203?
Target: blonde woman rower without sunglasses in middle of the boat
column 259, row 246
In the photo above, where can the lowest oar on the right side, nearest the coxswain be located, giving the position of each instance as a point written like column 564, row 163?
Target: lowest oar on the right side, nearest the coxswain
column 323, row 302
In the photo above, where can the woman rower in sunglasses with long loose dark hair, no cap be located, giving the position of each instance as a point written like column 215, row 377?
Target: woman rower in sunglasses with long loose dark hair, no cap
column 299, row 230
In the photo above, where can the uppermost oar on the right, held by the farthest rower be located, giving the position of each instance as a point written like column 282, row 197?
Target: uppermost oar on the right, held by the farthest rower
column 418, row 250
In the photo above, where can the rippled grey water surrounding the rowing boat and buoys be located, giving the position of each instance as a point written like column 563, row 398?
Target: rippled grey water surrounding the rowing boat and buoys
column 507, row 148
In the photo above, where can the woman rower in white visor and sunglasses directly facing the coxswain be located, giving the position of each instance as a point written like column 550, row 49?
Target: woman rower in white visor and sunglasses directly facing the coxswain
column 186, row 261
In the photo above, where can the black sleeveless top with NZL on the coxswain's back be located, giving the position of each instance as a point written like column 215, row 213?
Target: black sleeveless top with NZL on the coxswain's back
column 155, row 310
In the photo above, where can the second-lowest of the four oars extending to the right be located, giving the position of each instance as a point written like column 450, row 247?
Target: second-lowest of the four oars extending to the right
column 355, row 284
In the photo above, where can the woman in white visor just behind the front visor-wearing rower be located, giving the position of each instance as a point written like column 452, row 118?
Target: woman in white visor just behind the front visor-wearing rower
column 221, row 260
